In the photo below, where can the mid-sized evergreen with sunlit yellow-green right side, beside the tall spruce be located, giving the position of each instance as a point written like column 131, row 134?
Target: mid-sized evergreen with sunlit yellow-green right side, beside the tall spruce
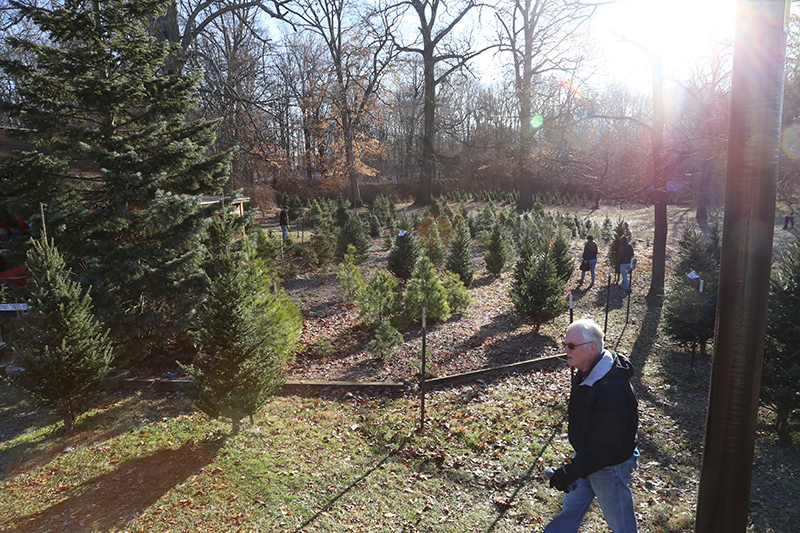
column 246, row 334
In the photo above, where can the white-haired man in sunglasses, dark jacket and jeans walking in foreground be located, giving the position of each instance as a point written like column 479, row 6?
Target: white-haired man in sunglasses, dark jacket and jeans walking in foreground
column 603, row 420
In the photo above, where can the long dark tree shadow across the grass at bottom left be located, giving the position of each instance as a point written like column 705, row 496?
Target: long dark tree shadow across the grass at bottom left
column 108, row 502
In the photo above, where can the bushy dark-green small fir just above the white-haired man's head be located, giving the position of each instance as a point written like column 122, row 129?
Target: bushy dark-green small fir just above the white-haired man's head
column 537, row 291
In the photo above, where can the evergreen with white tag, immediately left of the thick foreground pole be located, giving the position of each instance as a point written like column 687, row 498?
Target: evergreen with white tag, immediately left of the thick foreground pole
column 690, row 315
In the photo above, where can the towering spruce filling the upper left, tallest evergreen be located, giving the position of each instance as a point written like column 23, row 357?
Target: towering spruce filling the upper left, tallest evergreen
column 123, row 177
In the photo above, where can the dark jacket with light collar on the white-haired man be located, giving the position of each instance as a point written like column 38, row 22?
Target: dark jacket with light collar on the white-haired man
column 603, row 416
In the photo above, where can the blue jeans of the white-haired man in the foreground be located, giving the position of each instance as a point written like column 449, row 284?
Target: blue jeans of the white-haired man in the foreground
column 610, row 487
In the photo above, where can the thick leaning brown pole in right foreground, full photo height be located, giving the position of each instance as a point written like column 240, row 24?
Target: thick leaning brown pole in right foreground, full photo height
column 753, row 151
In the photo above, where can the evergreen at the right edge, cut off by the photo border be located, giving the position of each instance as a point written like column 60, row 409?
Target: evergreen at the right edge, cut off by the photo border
column 780, row 378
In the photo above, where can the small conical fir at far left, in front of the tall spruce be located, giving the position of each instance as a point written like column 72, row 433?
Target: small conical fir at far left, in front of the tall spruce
column 59, row 342
